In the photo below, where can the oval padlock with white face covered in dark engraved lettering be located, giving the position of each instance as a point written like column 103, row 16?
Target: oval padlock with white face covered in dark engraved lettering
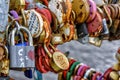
column 34, row 22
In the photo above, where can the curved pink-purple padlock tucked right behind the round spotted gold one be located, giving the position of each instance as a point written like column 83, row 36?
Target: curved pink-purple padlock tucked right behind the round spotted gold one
column 93, row 10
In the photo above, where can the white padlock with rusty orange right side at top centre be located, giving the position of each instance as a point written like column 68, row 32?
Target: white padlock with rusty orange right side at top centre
column 62, row 10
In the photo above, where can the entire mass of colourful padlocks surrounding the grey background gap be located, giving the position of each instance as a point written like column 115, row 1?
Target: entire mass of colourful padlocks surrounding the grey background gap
column 30, row 31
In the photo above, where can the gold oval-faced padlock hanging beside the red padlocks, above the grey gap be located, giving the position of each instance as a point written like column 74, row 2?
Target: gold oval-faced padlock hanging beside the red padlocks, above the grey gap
column 59, row 61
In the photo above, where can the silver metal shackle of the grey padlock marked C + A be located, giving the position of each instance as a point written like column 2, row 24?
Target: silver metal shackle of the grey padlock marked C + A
column 12, row 40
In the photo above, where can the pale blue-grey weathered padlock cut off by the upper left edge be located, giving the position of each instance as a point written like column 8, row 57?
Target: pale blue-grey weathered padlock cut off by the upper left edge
column 4, row 8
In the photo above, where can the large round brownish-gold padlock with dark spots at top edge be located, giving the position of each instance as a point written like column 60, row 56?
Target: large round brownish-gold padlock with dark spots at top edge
column 81, row 8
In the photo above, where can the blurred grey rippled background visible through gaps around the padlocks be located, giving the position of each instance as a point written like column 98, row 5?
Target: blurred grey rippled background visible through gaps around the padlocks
column 98, row 58
